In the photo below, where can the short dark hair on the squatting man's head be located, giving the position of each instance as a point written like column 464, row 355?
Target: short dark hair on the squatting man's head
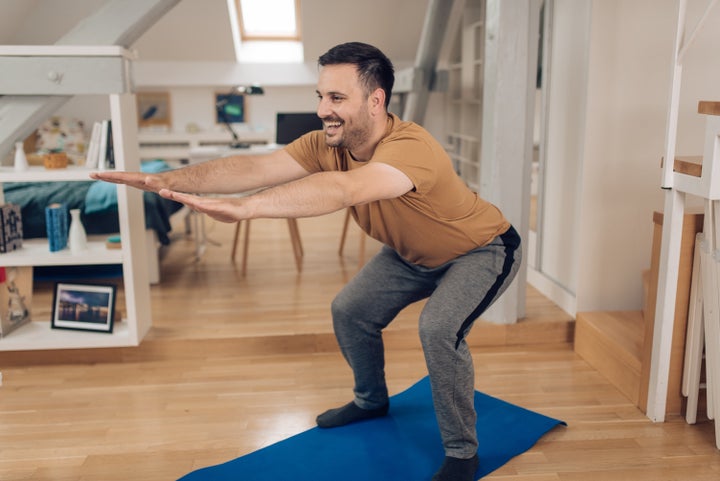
column 374, row 68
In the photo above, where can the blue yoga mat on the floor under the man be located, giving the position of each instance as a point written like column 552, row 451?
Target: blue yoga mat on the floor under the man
column 405, row 445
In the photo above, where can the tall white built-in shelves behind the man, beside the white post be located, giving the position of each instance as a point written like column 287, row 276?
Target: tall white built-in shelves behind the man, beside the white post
column 465, row 75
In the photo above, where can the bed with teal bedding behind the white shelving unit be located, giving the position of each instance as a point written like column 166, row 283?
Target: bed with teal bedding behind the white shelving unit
column 97, row 202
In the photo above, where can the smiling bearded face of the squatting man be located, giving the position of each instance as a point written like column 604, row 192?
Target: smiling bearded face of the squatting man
column 343, row 107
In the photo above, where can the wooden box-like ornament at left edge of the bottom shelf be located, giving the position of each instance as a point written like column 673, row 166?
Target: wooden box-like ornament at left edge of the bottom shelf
column 15, row 298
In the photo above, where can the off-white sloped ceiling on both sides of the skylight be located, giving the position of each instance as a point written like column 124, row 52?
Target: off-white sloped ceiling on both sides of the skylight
column 199, row 30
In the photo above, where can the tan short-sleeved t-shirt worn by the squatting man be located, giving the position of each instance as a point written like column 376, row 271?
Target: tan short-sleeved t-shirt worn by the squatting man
column 439, row 220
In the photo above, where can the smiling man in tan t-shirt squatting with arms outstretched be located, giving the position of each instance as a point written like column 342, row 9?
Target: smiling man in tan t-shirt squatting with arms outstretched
column 442, row 242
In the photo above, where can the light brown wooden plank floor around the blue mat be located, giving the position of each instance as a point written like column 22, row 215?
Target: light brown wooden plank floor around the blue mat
column 235, row 363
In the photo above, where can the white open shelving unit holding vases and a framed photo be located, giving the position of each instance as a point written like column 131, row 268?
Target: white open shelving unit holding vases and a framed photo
column 129, row 331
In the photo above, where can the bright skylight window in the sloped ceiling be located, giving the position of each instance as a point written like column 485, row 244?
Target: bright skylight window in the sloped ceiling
column 269, row 19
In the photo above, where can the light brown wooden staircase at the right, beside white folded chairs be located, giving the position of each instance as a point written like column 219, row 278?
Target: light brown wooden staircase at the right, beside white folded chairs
column 619, row 343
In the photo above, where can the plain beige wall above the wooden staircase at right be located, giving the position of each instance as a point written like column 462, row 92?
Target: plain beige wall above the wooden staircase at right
column 629, row 83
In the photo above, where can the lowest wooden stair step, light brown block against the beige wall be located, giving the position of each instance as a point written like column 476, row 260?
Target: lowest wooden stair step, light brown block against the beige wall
column 611, row 342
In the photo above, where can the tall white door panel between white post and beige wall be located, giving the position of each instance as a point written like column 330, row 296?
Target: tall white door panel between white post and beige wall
column 565, row 85
